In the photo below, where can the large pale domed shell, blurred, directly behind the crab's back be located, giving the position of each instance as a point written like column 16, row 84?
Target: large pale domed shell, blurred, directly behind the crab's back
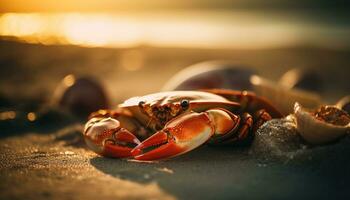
column 211, row 74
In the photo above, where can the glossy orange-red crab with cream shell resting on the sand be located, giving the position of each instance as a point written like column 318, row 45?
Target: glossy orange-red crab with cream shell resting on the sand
column 175, row 122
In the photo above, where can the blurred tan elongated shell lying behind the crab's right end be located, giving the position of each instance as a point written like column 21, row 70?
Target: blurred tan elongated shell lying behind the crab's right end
column 284, row 98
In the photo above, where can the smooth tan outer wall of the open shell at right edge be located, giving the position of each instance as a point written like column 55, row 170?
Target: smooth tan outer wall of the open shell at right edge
column 316, row 131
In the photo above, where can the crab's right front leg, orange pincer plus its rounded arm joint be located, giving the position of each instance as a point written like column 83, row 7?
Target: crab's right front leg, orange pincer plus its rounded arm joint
column 184, row 133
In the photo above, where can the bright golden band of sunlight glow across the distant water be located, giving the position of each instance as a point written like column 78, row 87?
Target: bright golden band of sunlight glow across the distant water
column 209, row 30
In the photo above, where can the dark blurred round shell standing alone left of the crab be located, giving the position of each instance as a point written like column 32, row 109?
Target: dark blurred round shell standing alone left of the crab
column 80, row 96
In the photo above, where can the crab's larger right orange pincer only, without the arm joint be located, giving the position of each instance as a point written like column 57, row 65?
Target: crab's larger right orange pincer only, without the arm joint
column 178, row 136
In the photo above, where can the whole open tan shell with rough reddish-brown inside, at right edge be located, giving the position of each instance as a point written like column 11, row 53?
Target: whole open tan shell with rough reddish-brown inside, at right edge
column 316, row 131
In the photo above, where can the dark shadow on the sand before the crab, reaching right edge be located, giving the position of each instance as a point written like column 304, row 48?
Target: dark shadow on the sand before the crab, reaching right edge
column 226, row 173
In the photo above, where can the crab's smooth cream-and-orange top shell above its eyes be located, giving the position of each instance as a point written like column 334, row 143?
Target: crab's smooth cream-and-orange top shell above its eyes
column 198, row 102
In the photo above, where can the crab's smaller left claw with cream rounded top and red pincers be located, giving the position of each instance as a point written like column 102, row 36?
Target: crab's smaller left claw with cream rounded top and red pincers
column 106, row 137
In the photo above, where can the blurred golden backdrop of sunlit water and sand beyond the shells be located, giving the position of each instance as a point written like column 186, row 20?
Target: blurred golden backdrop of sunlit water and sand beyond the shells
column 135, row 47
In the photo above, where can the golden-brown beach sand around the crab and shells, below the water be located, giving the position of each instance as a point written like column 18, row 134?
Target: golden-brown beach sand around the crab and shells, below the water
column 49, row 160
